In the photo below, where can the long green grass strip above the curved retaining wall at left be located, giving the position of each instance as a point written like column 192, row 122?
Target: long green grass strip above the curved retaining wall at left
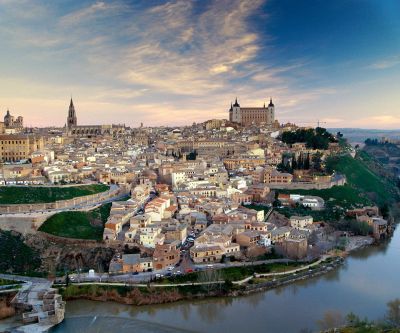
column 30, row 195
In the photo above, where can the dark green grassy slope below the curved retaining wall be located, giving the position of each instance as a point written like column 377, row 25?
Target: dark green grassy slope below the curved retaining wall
column 78, row 225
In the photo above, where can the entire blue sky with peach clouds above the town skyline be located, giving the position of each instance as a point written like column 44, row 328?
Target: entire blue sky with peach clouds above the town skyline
column 179, row 62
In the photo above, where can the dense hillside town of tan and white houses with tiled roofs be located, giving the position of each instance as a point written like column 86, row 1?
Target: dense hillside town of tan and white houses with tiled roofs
column 216, row 180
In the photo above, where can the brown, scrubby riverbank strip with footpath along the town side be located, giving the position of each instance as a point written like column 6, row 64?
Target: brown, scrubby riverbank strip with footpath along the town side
column 152, row 294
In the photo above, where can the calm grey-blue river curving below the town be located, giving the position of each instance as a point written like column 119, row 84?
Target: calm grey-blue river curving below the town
column 369, row 279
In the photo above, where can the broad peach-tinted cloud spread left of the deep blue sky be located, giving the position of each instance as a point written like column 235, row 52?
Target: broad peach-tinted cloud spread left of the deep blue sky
column 161, row 64
